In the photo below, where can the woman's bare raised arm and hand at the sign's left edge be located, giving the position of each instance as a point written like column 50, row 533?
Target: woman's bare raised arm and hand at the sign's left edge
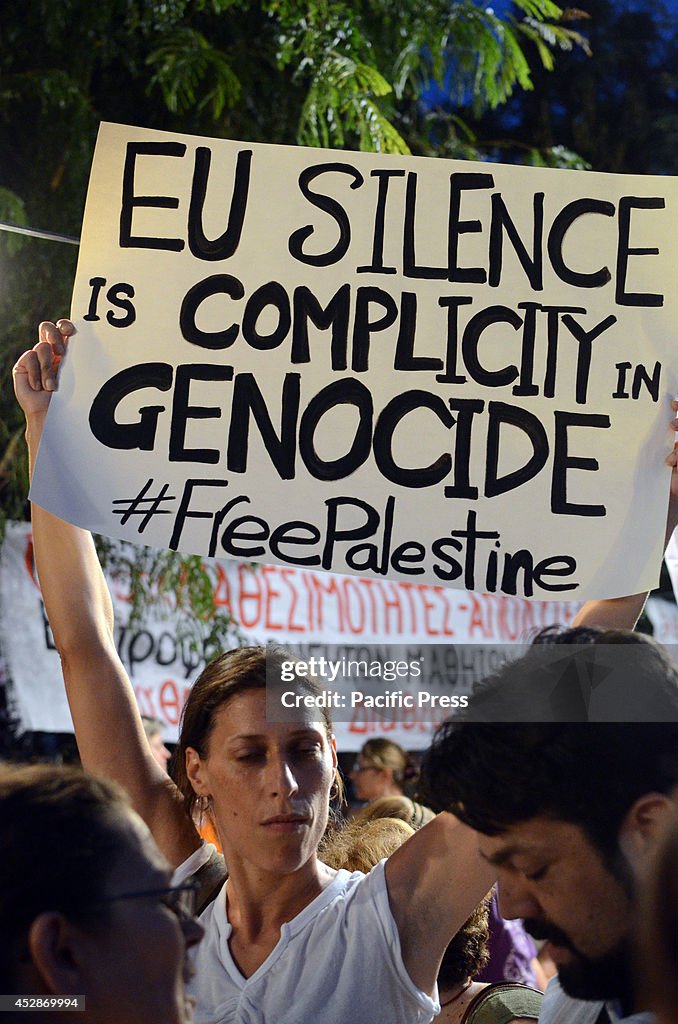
column 109, row 731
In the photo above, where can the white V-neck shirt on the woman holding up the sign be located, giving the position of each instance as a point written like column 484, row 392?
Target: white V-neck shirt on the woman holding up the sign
column 338, row 962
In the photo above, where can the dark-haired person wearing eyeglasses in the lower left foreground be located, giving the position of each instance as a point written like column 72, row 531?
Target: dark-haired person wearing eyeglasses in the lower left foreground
column 91, row 925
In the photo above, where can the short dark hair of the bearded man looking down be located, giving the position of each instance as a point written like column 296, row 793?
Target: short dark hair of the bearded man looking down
column 497, row 772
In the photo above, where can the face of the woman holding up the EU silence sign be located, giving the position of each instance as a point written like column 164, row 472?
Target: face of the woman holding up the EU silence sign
column 269, row 784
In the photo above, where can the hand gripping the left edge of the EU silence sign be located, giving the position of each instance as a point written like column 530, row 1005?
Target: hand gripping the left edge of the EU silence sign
column 36, row 371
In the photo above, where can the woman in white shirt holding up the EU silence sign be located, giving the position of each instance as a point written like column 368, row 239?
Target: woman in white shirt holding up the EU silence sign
column 283, row 919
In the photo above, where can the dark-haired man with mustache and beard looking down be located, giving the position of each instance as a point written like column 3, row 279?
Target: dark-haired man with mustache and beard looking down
column 564, row 764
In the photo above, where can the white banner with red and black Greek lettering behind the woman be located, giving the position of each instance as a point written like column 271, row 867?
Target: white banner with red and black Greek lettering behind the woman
column 333, row 617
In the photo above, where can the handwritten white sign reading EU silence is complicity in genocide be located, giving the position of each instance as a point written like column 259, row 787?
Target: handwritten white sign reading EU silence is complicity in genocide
column 401, row 368
